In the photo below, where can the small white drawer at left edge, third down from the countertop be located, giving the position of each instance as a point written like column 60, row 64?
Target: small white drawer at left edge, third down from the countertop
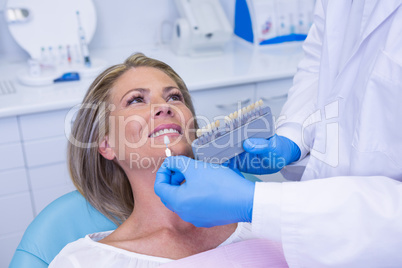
column 13, row 181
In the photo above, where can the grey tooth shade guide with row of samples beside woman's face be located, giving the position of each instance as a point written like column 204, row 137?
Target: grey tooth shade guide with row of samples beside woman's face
column 218, row 144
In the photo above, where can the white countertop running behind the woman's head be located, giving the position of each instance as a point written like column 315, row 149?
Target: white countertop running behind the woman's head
column 240, row 64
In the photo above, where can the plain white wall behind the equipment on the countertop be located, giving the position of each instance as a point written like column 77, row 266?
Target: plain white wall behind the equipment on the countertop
column 121, row 23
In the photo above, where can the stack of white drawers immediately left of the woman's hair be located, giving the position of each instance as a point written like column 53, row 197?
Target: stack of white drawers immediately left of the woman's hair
column 44, row 142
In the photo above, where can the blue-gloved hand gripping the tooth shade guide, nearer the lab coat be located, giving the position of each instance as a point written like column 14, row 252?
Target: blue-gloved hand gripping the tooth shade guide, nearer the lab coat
column 265, row 156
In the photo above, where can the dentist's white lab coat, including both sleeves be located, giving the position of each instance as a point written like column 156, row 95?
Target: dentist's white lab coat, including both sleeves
column 345, row 113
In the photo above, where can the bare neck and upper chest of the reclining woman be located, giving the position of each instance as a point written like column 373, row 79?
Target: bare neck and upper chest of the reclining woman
column 153, row 229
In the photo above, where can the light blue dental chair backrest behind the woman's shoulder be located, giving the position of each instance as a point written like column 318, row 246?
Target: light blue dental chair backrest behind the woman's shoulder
column 65, row 220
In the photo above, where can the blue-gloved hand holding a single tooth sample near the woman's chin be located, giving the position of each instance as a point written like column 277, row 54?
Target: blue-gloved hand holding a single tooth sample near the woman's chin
column 211, row 194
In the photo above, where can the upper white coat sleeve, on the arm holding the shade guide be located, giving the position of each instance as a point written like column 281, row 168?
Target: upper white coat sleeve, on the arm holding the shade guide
column 302, row 96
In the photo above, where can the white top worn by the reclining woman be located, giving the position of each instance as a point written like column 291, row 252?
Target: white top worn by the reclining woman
column 88, row 252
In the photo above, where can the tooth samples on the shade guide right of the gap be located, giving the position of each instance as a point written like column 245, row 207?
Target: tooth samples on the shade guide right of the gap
column 243, row 115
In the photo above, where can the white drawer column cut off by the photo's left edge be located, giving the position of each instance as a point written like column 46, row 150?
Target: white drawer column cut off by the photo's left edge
column 15, row 197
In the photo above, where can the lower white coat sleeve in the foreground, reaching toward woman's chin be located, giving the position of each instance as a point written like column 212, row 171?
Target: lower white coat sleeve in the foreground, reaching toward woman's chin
column 333, row 222
